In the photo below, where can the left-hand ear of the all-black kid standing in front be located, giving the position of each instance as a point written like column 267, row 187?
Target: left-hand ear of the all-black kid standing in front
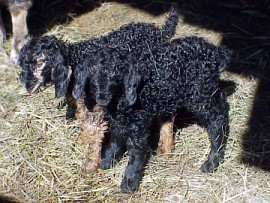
column 80, row 76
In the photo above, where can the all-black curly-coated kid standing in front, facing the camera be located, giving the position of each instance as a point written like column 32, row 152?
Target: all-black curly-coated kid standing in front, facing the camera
column 155, row 83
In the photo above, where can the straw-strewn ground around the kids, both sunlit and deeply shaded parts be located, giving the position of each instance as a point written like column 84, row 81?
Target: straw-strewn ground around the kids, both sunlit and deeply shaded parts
column 40, row 160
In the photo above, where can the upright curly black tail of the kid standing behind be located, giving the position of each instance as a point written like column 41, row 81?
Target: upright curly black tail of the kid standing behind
column 171, row 22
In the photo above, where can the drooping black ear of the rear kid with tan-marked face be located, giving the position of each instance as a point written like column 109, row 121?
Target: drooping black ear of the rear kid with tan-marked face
column 61, row 75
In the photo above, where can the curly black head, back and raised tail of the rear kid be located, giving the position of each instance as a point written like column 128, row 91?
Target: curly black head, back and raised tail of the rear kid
column 59, row 56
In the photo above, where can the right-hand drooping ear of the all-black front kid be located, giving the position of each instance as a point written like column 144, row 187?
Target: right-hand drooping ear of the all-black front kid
column 131, row 83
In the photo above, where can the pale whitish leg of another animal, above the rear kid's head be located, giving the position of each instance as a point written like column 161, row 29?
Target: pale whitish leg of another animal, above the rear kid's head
column 19, row 28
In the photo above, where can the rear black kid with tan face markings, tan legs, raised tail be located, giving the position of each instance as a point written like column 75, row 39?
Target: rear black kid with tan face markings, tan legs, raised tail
column 47, row 59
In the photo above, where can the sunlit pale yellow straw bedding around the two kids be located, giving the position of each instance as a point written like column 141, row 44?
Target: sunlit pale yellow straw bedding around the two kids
column 40, row 158
